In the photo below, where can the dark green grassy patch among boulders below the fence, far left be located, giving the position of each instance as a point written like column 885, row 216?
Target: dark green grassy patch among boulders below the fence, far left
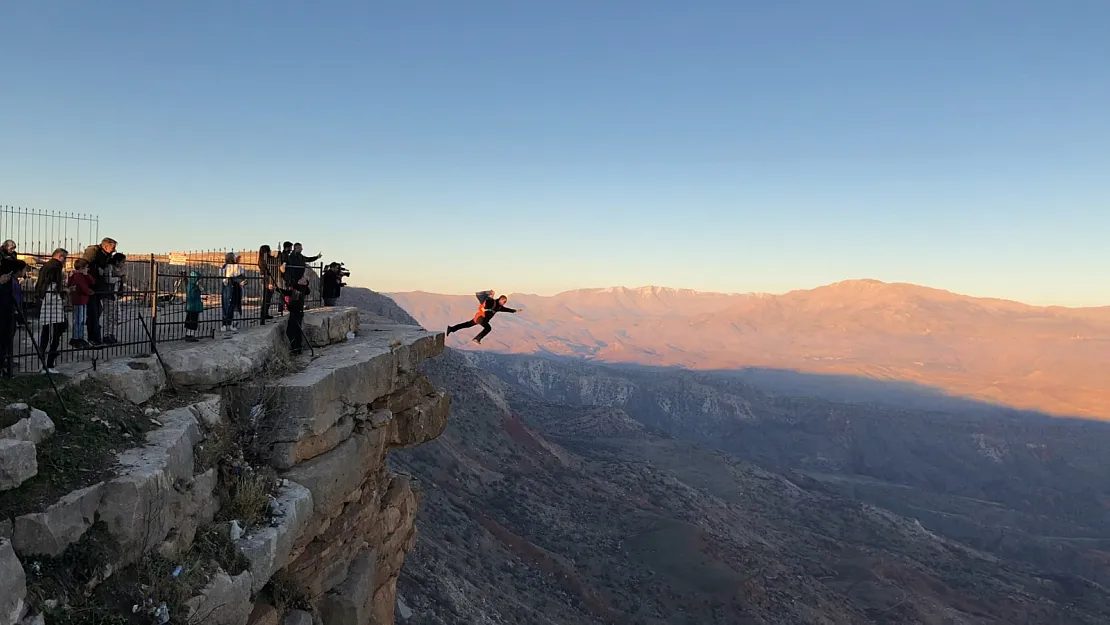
column 85, row 448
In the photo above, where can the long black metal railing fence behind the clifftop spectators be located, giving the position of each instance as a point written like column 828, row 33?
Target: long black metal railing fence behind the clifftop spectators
column 150, row 308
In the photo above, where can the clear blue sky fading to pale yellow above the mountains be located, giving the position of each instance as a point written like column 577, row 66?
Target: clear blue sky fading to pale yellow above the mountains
column 449, row 146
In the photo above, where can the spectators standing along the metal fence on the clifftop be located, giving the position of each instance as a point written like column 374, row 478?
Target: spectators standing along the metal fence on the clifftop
column 85, row 301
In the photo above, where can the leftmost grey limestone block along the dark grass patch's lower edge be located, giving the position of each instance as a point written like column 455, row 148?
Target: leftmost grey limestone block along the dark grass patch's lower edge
column 60, row 526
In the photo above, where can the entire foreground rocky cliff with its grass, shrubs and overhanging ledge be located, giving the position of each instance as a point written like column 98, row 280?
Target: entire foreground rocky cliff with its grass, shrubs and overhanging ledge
column 260, row 495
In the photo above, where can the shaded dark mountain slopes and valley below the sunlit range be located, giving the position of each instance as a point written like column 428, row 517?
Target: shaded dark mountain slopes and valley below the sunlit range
column 573, row 492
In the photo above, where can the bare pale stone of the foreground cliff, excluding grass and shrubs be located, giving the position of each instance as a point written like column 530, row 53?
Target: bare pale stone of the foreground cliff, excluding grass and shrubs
column 338, row 525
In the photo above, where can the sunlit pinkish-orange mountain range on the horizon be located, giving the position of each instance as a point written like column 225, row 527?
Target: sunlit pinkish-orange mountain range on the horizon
column 1050, row 359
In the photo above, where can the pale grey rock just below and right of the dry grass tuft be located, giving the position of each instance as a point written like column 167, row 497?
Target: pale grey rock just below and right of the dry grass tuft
column 270, row 549
